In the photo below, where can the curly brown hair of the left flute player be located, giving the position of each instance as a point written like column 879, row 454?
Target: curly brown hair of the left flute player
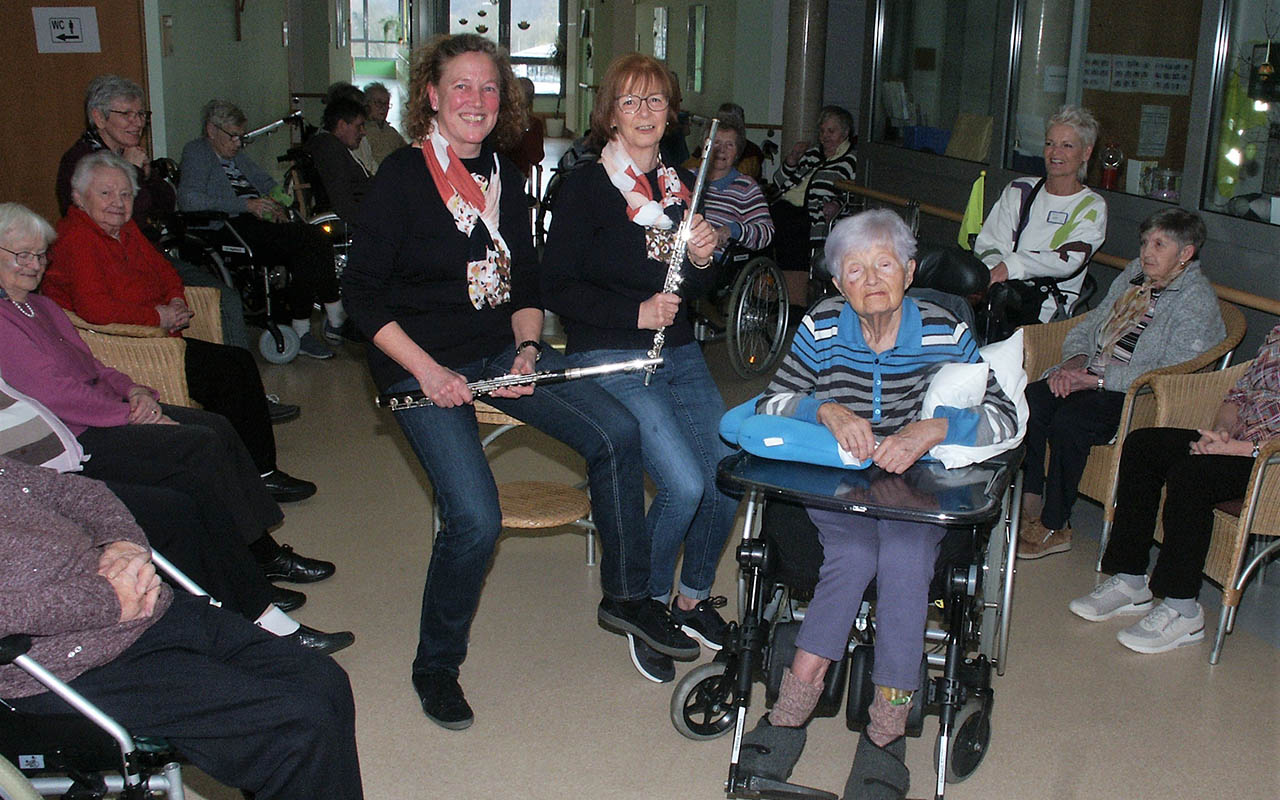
column 428, row 70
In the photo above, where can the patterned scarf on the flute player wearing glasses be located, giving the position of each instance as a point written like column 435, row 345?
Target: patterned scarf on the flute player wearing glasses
column 659, row 217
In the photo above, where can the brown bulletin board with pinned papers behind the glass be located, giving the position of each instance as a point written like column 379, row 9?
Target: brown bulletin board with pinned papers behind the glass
column 1139, row 72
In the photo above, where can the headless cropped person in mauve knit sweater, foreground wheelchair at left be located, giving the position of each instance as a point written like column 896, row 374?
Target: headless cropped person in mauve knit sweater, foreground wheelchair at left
column 252, row 710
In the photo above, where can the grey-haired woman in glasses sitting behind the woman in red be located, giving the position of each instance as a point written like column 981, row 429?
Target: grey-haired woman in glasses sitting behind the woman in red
column 117, row 120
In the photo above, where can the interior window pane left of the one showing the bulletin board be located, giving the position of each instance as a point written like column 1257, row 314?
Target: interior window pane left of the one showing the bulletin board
column 935, row 76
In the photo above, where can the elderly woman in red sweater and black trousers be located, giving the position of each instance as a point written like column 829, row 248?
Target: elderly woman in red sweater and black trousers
column 104, row 269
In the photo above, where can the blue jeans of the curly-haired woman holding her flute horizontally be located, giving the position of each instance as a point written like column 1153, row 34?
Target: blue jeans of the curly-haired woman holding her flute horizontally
column 447, row 444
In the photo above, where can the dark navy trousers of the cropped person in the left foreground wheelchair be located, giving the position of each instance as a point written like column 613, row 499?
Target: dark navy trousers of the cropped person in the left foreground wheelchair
column 254, row 711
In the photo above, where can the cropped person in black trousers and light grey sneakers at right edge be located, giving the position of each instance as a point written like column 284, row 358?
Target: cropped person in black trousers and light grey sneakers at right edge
column 1196, row 470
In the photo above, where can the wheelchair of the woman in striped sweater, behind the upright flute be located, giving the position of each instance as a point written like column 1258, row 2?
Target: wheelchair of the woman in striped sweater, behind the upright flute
column 755, row 308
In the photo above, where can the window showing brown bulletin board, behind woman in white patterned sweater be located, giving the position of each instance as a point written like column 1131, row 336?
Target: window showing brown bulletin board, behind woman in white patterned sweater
column 1132, row 65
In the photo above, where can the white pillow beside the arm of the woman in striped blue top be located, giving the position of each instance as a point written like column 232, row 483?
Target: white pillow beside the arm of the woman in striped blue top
column 956, row 386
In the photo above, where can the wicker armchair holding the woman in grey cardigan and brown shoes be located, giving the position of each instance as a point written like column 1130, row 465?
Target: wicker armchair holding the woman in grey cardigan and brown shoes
column 1043, row 348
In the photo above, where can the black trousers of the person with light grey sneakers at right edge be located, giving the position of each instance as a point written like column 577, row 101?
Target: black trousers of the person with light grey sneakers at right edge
column 1160, row 459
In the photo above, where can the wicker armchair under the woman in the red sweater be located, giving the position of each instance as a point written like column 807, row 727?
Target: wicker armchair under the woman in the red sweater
column 149, row 355
